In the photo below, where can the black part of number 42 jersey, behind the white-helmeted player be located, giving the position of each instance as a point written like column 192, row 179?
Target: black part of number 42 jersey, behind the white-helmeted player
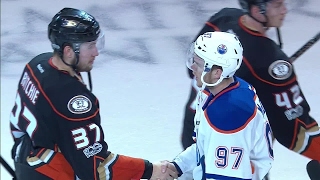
column 267, row 68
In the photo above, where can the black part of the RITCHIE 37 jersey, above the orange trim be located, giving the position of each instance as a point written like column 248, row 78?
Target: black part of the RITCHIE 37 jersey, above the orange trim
column 59, row 113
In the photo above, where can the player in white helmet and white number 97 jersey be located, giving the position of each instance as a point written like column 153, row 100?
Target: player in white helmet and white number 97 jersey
column 233, row 135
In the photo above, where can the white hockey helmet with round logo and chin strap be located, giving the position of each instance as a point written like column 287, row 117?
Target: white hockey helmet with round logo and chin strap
column 220, row 49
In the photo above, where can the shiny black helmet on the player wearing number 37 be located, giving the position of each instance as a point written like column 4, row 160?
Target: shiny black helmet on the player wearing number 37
column 70, row 26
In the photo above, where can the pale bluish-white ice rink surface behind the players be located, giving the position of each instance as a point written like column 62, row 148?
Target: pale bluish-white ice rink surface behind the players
column 140, row 79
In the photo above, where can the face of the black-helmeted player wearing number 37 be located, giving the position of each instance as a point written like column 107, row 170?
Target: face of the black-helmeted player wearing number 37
column 88, row 53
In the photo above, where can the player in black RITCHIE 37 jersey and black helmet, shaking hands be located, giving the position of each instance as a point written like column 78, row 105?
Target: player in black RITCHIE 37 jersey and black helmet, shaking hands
column 55, row 121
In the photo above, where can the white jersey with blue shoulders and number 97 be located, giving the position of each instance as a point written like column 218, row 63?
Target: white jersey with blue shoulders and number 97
column 233, row 136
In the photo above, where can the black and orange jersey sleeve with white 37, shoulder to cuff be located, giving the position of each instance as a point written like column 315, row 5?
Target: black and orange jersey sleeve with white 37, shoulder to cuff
column 81, row 138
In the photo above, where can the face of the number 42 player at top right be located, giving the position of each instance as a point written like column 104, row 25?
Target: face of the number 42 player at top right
column 276, row 11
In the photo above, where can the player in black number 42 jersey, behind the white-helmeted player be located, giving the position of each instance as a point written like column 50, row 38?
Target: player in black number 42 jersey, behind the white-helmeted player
column 268, row 69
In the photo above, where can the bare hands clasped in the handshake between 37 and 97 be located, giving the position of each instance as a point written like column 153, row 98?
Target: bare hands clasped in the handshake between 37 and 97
column 164, row 170
